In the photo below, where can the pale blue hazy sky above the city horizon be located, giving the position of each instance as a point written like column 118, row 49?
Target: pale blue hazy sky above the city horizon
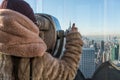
column 90, row 16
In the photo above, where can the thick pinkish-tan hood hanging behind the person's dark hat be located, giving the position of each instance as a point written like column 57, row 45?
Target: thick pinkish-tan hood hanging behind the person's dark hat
column 19, row 36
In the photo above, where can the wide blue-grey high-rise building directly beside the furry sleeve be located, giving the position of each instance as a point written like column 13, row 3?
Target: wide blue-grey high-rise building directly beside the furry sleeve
column 87, row 62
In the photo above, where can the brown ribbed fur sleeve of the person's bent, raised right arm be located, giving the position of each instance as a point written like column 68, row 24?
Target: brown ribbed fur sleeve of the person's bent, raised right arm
column 66, row 67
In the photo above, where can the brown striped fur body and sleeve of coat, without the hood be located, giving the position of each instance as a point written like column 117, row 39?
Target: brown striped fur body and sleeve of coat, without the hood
column 47, row 67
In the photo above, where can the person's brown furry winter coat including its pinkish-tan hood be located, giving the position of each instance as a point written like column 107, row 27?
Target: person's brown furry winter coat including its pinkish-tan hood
column 35, row 64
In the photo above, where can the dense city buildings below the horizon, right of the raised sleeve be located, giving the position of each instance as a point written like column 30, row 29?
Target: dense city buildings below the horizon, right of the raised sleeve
column 97, row 50
